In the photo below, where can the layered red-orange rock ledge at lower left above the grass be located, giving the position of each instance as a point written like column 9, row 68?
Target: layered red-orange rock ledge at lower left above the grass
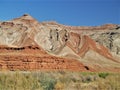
column 34, row 58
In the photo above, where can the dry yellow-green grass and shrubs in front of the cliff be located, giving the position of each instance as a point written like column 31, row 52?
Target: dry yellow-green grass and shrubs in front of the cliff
column 59, row 80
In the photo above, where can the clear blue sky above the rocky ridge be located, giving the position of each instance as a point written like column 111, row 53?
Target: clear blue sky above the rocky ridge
column 68, row 12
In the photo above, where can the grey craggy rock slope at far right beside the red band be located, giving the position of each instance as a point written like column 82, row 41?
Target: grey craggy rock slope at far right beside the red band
column 110, row 39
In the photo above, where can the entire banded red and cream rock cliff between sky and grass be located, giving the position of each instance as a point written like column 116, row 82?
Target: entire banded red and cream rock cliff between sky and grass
column 27, row 44
